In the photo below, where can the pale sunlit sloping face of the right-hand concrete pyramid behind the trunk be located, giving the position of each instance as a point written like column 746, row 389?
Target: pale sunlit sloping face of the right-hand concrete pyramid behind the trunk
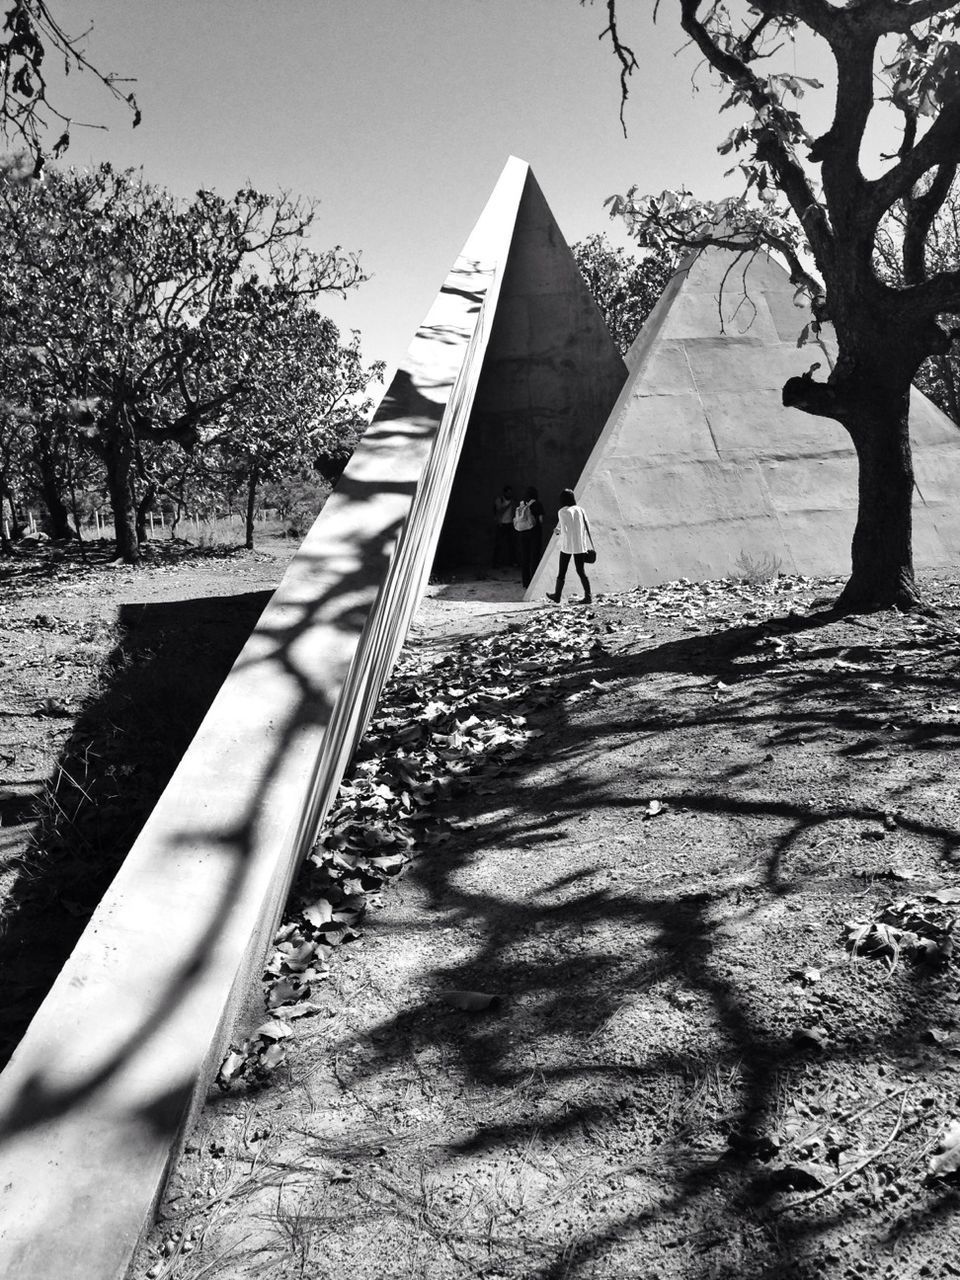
column 701, row 465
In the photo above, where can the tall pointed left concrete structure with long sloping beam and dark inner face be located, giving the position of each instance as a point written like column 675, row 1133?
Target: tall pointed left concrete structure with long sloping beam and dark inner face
column 513, row 368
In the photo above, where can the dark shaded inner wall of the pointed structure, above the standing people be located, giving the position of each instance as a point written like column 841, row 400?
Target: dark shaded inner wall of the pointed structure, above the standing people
column 550, row 381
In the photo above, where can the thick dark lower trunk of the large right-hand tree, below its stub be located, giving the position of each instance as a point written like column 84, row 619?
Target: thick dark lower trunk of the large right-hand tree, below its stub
column 883, row 550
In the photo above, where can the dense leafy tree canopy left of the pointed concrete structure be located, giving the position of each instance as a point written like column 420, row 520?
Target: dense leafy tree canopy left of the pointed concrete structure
column 138, row 327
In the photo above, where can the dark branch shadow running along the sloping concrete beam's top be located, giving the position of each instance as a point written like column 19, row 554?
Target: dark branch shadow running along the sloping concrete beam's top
column 342, row 600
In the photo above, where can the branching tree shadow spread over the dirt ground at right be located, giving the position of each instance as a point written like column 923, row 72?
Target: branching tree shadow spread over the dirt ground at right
column 575, row 954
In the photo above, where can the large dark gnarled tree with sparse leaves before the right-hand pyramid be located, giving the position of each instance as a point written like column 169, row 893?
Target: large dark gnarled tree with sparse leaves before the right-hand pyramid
column 815, row 199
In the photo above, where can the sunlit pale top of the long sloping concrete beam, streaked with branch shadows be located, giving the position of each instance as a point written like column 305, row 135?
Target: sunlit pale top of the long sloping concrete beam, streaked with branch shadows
column 98, row 1096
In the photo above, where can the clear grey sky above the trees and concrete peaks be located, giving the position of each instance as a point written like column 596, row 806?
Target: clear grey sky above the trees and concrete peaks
column 399, row 116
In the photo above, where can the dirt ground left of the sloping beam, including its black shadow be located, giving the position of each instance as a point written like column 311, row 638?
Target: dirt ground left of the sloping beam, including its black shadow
column 106, row 674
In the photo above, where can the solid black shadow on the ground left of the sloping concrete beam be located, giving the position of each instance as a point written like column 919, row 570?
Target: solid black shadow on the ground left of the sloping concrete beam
column 164, row 673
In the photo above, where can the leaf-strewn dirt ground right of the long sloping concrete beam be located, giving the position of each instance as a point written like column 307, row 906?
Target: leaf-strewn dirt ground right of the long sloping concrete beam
column 628, row 953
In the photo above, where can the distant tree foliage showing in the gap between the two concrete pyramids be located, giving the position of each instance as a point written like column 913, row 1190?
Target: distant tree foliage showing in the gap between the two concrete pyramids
column 625, row 289
